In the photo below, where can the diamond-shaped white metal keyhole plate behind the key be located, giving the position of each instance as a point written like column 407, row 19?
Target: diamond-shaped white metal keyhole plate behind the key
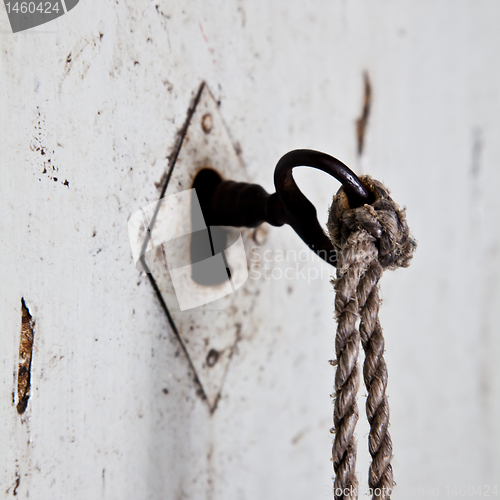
column 209, row 298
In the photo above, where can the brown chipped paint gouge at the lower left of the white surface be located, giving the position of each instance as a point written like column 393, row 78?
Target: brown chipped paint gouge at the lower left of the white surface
column 25, row 353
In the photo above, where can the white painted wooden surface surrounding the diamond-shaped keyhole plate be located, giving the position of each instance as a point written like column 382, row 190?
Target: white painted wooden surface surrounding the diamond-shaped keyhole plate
column 288, row 75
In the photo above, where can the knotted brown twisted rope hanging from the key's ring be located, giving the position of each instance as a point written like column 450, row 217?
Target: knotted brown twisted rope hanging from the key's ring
column 368, row 240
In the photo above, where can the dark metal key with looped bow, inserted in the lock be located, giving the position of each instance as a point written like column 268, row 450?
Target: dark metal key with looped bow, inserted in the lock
column 242, row 204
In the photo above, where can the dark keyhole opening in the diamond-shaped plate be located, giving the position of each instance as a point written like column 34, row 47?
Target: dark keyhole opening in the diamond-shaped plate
column 212, row 240
